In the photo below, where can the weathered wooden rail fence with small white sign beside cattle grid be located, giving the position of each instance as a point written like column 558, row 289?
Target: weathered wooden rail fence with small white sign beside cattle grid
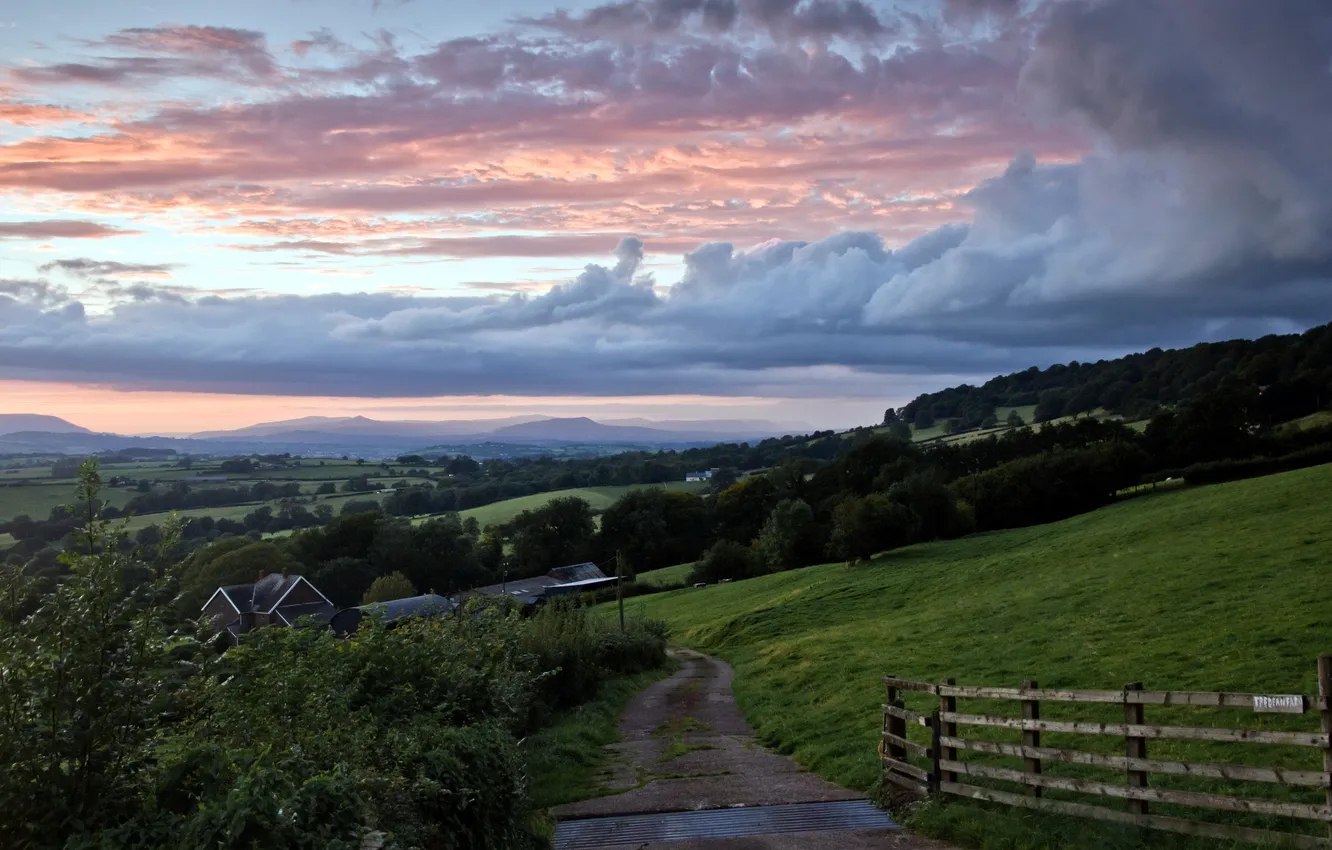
column 949, row 773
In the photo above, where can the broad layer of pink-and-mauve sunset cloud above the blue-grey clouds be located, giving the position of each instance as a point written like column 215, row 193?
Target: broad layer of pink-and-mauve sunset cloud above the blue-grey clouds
column 691, row 139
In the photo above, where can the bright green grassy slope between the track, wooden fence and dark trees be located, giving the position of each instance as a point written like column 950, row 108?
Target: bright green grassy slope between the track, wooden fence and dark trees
column 1218, row 588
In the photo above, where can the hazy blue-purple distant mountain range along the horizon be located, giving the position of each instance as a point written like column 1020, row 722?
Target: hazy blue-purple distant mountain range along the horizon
column 367, row 438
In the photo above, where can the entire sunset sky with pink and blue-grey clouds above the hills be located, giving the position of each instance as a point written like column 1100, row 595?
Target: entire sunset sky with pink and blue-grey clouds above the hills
column 807, row 211
